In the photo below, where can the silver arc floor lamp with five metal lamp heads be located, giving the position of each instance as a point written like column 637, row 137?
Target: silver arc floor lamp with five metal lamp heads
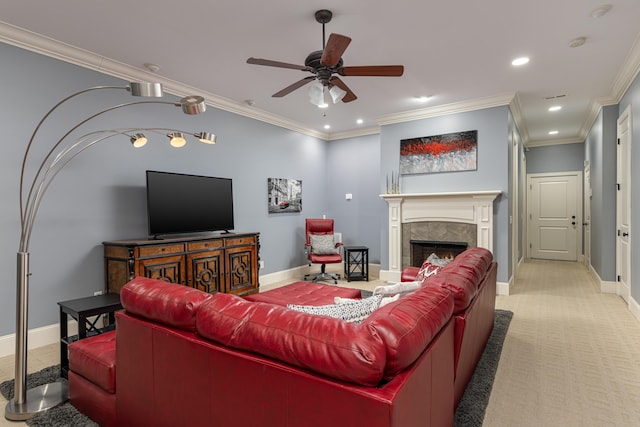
column 27, row 403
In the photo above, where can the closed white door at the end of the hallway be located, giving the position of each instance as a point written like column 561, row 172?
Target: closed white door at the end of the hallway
column 555, row 209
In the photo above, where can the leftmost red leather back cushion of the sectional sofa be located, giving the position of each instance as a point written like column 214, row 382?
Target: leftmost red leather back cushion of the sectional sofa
column 168, row 303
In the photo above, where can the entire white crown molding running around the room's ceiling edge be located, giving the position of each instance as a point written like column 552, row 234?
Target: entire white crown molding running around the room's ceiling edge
column 37, row 43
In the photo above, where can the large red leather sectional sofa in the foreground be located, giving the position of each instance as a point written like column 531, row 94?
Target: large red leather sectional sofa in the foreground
column 184, row 357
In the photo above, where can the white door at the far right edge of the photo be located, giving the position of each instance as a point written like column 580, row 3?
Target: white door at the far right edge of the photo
column 623, row 205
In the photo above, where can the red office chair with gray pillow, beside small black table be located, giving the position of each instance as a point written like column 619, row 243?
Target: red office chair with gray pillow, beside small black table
column 321, row 247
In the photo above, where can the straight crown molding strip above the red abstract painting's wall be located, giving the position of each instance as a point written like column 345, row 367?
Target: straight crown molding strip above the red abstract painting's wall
column 441, row 110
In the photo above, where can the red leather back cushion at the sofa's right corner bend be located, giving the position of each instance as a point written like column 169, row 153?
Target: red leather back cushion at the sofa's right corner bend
column 408, row 325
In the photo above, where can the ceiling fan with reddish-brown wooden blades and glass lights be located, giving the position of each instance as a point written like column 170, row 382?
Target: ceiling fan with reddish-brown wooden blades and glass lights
column 323, row 64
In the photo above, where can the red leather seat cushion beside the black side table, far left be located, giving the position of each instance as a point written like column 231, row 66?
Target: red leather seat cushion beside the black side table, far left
column 95, row 359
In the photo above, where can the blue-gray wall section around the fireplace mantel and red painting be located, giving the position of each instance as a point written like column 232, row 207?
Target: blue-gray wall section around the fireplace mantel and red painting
column 492, row 173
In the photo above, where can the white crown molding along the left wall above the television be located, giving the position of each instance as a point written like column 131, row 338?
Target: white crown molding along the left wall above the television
column 37, row 43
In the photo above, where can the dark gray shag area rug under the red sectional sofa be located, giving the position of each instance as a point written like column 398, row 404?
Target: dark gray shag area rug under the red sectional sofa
column 469, row 413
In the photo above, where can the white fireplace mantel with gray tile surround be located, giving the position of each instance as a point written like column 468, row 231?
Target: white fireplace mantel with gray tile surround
column 448, row 216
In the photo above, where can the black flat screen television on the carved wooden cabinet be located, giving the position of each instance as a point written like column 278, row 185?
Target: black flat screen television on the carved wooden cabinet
column 187, row 204
